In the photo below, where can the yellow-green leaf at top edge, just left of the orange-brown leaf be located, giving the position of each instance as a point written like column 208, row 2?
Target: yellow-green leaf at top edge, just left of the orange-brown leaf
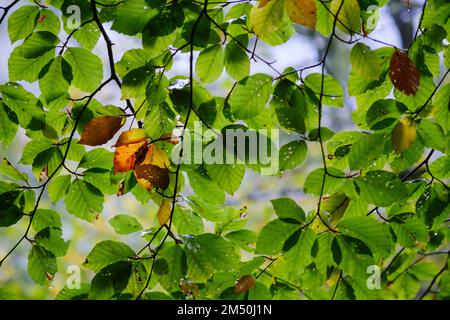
column 268, row 18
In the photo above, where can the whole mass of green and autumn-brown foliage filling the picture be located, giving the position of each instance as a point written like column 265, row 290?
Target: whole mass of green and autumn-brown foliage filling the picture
column 380, row 193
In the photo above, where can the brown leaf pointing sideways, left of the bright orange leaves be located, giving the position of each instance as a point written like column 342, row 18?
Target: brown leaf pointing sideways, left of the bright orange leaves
column 100, row 130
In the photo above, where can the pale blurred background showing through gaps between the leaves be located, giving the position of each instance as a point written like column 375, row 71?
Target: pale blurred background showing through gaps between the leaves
column 398, row 22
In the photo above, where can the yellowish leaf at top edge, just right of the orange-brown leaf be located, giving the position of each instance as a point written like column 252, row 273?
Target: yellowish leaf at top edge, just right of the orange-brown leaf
column 349, row 19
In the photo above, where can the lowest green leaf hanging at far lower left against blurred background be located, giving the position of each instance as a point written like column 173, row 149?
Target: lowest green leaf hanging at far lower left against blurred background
column 41, row 265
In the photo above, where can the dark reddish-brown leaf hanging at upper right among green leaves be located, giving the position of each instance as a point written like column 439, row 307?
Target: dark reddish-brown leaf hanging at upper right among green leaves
column 403, row 73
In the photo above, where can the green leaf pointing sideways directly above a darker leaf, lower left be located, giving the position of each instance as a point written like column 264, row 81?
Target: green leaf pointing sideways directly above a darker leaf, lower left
column 107, row 252
